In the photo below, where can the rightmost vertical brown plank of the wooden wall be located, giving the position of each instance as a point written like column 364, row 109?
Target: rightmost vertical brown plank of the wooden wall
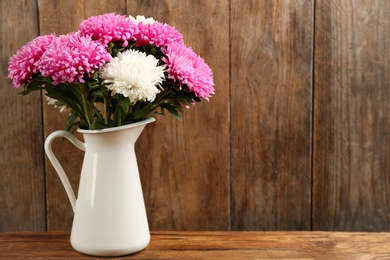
column 351, row 116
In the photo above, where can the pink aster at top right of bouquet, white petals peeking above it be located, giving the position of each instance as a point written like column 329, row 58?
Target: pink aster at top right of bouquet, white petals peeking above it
column 154, row 33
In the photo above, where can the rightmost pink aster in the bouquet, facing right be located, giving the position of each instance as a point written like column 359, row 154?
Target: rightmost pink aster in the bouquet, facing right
column 187, row 68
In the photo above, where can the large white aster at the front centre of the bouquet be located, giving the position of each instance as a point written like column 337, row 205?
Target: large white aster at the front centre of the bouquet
column 134, row 75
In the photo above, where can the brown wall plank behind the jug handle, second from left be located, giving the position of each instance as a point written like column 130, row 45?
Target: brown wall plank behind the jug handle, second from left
column 62, row 17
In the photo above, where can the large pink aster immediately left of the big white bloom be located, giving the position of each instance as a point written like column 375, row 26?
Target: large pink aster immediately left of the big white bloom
column 72, row 56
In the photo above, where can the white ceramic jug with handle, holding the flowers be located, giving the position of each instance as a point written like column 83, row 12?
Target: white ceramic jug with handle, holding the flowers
column 109, row 213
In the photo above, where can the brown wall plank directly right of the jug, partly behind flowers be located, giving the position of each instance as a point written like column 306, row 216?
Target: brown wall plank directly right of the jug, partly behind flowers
column 184, row 165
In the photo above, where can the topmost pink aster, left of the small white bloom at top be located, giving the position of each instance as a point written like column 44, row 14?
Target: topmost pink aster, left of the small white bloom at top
column 109, row 27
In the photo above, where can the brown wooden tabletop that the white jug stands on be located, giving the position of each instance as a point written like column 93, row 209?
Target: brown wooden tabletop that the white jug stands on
column 213, row 245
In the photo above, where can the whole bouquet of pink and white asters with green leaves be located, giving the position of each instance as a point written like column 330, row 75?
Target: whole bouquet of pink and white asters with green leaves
column 114, row 70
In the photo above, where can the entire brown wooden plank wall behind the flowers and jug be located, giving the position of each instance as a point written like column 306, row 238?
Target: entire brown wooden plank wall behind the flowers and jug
column 296, row 137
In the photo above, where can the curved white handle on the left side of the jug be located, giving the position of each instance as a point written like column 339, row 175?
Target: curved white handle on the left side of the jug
column 57, row 166
